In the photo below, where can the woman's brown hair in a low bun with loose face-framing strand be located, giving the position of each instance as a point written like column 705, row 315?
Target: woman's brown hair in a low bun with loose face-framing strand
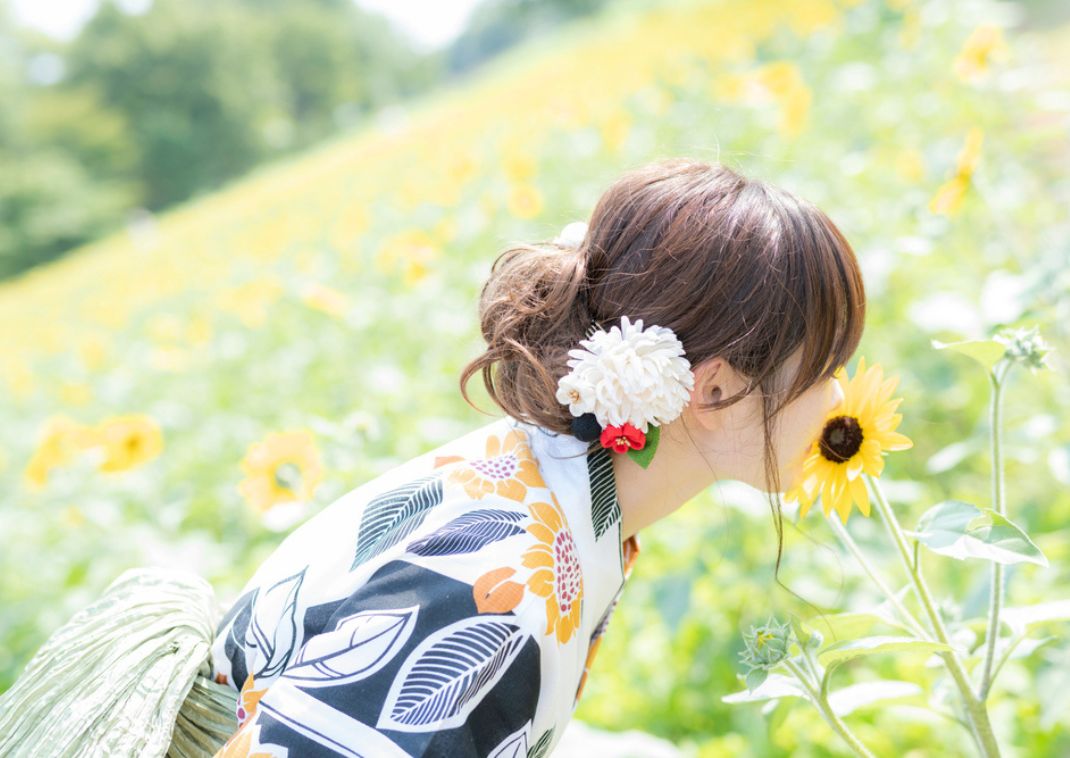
column 735, row 266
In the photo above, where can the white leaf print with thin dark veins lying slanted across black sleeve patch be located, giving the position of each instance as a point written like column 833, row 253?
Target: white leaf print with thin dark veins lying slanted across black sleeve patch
column 357, row 648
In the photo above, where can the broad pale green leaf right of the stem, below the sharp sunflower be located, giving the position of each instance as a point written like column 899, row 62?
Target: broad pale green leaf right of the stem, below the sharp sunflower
column 964, row 530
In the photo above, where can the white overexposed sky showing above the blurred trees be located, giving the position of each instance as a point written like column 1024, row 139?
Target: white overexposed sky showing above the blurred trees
column 432, row 24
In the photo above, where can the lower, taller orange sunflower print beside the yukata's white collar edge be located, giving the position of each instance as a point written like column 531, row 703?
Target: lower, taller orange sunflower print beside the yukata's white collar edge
column 558, row 577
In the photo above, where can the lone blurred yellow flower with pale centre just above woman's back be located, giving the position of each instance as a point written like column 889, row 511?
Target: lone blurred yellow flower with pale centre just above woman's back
column 282, row 468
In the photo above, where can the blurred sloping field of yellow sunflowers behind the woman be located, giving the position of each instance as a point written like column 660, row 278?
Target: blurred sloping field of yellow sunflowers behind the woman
column 186, row 392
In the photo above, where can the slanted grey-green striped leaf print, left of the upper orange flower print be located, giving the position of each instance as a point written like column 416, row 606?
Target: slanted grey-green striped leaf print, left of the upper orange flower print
column 393, row 516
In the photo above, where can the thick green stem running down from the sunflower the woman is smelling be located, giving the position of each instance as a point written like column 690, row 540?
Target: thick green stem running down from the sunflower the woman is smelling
column 975, row 707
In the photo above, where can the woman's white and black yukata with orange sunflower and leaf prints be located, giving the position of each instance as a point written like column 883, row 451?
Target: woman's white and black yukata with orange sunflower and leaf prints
column 450, row 608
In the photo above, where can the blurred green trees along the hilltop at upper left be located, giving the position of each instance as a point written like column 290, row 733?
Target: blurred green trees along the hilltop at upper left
column 143, row 111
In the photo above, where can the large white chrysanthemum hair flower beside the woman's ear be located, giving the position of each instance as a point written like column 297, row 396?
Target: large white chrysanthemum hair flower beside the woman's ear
column 629, row 375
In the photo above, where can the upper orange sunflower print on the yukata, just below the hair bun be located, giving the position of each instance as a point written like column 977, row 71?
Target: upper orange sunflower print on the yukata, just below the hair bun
column 509, row 468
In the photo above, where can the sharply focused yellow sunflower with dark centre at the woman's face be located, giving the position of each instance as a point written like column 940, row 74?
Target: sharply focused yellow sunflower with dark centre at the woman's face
column 855, row 435
